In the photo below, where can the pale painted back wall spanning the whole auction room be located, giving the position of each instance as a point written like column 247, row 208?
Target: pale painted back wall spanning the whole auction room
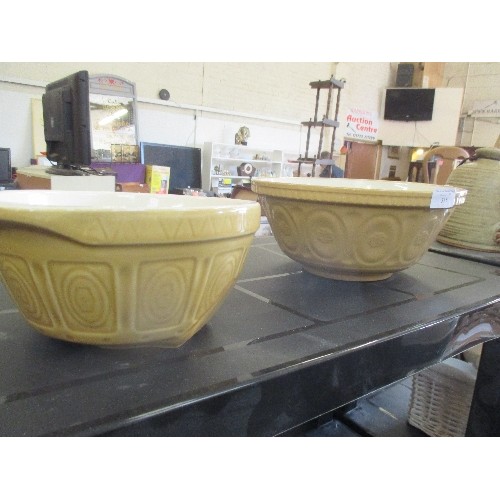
column 270, row 98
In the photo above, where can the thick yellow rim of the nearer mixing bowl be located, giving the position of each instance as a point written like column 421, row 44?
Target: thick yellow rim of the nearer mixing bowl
column 166, row 221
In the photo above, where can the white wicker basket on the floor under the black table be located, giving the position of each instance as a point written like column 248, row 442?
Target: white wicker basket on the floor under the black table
column 441, row 398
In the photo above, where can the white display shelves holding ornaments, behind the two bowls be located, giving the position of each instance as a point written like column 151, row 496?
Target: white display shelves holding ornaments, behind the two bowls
column 228, row 165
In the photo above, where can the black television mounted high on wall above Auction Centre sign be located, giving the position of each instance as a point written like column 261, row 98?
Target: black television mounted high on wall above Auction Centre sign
column 409, row 104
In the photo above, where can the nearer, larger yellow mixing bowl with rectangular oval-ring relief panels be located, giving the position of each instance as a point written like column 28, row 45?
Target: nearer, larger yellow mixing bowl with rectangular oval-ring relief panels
column 121, row 268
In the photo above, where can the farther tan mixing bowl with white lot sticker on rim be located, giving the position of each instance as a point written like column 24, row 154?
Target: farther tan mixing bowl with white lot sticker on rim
column 355, row 229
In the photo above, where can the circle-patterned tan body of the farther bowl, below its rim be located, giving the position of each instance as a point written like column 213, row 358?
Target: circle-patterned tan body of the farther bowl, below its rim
column 334, row 239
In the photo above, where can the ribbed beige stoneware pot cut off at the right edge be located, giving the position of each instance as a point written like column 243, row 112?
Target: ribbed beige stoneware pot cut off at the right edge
column 475, row 225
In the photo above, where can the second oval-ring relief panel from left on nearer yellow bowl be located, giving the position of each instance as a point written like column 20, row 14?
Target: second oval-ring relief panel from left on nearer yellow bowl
column 86, row 295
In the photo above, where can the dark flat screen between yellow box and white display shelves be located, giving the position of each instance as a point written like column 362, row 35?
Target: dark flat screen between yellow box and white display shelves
column 184, row 163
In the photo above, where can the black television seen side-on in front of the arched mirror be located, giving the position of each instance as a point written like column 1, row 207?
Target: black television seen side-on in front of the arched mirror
column 66, row 121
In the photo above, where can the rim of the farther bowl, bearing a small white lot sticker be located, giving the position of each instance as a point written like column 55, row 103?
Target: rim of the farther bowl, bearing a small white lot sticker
column 369, row 192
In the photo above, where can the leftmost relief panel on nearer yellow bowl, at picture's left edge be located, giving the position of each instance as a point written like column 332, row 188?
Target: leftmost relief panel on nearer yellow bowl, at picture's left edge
column 22, row 287
